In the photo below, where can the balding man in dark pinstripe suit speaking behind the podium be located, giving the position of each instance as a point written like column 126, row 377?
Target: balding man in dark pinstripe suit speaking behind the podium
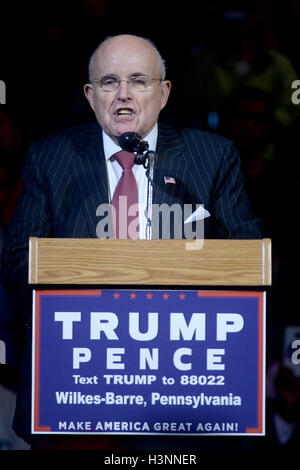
column 67, row 177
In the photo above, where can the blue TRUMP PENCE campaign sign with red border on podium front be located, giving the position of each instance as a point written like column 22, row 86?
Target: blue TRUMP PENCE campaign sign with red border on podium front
column 148, row 362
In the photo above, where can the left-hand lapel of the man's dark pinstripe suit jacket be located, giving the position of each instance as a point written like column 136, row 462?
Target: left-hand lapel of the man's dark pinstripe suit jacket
column 90, row 173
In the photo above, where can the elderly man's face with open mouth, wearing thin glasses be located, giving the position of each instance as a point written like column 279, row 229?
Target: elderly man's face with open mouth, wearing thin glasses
column 127, row 109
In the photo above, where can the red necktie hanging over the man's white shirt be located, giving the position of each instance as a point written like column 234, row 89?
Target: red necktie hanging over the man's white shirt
column 125, row 199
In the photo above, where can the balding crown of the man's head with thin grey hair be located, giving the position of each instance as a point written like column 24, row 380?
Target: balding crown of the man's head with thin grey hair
column 126, row 40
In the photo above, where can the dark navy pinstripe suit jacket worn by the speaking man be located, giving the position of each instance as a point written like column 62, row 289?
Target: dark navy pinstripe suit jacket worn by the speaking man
column 65, row 180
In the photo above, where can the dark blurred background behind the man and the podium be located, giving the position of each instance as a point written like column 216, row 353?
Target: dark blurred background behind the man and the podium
column 232, row 65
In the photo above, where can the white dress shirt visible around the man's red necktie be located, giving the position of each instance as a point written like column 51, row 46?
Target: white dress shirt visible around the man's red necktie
column 114, row 172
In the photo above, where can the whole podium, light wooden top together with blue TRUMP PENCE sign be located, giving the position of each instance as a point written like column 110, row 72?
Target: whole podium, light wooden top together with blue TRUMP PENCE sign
column 152, row 329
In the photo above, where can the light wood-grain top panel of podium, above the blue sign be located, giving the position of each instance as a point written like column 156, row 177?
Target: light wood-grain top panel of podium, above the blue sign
column 155, row 262
